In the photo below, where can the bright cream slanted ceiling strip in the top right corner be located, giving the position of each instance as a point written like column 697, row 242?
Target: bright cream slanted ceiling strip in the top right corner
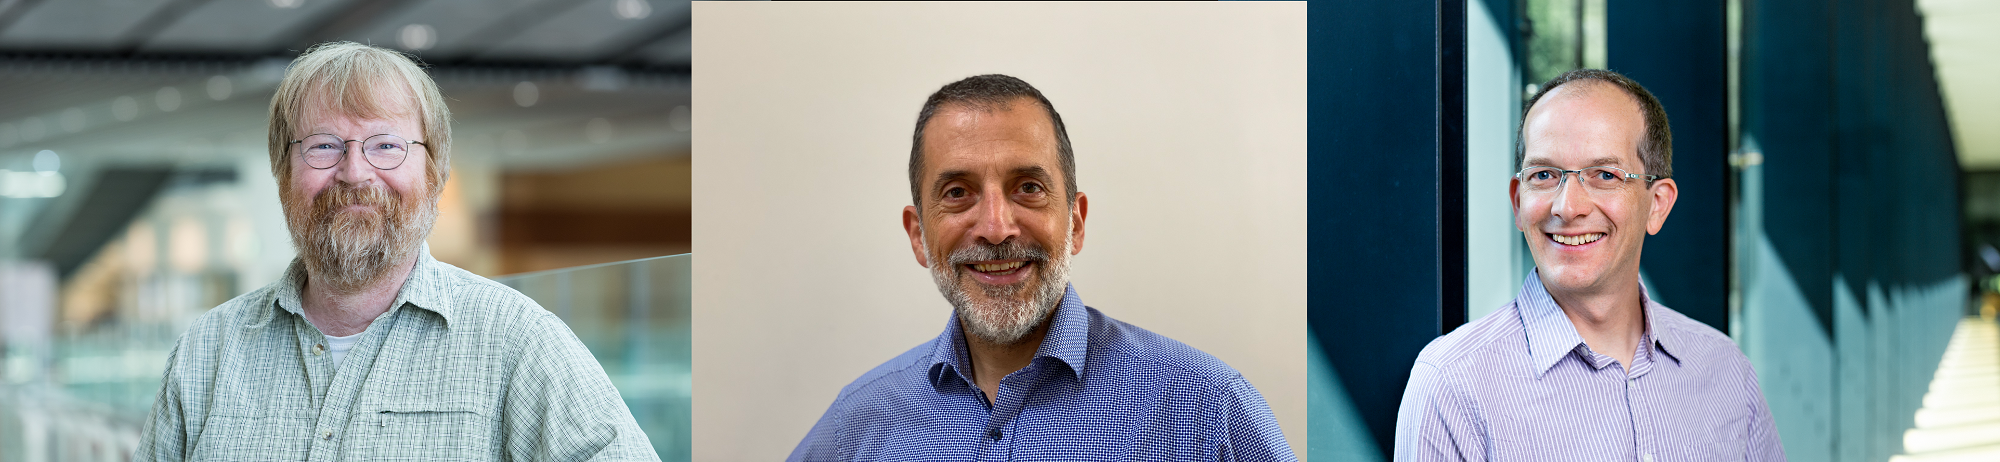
column 1965, row 47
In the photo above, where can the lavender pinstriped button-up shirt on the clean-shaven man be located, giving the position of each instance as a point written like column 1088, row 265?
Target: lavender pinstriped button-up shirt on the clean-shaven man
column 1521, row 385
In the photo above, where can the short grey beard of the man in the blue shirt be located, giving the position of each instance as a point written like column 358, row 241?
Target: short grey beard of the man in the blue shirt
column 1007, row 313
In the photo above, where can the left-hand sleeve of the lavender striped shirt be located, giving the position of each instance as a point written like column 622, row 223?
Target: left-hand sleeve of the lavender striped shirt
column 1437, row 421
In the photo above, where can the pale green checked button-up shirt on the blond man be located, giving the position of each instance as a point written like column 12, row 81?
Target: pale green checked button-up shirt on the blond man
column 459, row 369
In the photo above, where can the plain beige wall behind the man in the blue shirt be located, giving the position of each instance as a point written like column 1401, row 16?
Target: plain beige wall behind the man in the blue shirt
column 1191, row 139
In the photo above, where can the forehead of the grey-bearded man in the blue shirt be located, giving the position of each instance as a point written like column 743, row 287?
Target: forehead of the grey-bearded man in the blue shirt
column 965, row 137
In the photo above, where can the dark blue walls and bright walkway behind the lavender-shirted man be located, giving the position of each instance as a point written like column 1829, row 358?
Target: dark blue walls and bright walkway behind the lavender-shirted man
column 1839, row 213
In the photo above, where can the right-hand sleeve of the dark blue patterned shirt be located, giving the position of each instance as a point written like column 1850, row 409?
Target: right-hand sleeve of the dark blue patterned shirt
column 1247, row 427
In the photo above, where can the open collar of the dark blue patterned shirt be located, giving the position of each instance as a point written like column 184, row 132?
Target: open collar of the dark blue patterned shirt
column 1067, row 343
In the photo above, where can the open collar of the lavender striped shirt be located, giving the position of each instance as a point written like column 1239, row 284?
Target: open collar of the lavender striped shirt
column 1551, row 333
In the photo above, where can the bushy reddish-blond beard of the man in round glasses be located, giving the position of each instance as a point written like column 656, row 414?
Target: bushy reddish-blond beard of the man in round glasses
column 345, row 251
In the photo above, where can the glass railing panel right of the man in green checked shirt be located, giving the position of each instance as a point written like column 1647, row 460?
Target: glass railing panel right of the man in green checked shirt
column 635, row 321
